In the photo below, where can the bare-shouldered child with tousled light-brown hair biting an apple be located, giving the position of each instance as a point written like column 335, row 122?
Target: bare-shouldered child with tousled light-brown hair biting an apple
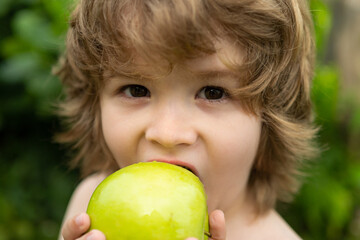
column 219, row 86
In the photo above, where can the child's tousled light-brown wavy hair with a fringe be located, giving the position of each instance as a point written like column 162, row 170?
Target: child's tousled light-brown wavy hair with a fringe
column 106, row 38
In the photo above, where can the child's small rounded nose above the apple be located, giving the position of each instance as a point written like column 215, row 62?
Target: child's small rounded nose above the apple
column 171, row 126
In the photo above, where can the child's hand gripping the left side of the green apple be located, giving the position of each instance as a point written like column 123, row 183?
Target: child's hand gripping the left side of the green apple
column 77, row 227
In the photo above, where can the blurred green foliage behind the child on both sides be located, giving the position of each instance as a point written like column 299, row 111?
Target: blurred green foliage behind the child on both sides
column 35, row 184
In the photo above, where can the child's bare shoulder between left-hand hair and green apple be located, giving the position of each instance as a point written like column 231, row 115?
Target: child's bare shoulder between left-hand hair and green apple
column 82, row 194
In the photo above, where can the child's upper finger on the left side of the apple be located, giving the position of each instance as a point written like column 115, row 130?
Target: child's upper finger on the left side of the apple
column 75, row 227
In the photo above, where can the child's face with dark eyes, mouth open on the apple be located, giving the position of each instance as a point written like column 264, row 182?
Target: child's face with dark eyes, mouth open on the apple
column 185, row 118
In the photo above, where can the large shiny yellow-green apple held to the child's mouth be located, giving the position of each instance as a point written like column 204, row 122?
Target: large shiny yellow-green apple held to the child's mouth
column 150, row 201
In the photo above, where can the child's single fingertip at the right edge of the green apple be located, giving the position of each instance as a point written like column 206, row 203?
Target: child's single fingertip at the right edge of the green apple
column 217, row 225
